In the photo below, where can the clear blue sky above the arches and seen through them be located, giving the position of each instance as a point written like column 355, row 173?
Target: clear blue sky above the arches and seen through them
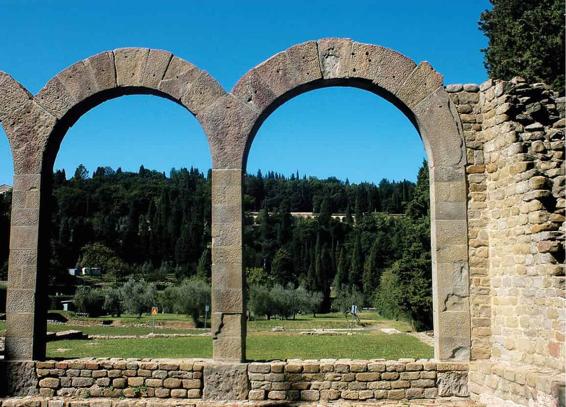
column 343, row 132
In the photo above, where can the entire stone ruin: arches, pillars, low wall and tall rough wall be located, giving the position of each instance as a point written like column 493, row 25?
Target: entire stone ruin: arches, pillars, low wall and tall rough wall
column 496, row 159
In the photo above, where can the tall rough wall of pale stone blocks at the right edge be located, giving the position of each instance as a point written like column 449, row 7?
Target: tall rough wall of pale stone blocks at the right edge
column 515, row 144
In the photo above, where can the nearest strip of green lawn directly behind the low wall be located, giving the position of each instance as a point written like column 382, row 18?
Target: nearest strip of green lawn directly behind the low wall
column 260, row 346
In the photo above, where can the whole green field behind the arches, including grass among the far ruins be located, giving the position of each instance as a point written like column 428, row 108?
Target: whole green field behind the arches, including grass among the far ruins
column 262, row 342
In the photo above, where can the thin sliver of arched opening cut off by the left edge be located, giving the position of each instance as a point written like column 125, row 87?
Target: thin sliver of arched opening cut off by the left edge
column 6, row 182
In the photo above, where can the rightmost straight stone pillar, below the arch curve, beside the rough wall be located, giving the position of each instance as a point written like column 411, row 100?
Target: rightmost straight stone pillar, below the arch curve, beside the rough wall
column 450, row 277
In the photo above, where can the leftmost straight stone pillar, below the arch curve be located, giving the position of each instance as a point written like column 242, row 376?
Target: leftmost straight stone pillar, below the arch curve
column 25, row 308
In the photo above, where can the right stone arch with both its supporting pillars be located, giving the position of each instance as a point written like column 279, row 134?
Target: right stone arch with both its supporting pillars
column 418, row 91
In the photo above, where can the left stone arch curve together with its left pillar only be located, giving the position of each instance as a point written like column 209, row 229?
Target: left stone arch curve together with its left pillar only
column 36, row 125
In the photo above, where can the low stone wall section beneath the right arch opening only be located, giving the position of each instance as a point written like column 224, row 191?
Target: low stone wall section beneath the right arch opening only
column 332, row 379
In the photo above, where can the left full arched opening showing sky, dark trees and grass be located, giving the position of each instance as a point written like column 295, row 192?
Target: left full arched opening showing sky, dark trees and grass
column 129, row 233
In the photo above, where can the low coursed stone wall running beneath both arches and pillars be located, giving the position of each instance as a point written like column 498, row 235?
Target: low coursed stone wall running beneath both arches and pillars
column 278, row 381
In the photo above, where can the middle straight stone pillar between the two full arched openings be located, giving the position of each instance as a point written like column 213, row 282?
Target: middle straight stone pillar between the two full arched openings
column 228, row 308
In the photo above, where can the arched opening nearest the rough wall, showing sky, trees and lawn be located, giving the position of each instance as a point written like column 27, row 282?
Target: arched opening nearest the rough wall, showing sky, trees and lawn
column 338, row 218
